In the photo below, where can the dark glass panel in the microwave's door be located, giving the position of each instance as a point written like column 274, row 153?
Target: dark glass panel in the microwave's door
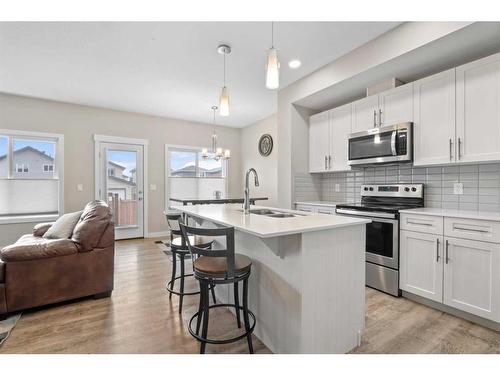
column 371, row 146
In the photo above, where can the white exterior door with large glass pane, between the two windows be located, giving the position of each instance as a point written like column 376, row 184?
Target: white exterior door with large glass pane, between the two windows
column 122, row 186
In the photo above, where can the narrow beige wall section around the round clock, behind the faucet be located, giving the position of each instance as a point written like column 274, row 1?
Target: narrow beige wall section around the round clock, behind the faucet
column 266, row 167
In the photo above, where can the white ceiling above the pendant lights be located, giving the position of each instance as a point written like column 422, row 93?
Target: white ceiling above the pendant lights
column 169, row 69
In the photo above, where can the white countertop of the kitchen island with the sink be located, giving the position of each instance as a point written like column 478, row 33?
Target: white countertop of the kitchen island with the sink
column 264, row 226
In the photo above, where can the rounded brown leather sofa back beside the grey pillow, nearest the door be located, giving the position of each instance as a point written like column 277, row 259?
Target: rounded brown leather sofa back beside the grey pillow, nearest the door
column 95, row 219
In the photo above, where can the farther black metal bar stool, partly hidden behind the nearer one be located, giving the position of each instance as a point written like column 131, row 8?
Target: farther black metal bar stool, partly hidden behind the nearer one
column 180, row 250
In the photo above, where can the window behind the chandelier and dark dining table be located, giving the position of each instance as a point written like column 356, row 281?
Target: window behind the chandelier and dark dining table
column 191, row 176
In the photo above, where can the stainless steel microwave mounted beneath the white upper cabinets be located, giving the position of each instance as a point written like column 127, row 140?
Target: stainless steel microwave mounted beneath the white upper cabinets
column 385, row 144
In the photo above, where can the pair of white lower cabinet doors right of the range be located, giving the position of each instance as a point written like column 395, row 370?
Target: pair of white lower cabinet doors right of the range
column 458, row 272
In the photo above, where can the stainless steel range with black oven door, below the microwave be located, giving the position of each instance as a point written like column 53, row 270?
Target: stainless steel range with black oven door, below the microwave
column 382, row 203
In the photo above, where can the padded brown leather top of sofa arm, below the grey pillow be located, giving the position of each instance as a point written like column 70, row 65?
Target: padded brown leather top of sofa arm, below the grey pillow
column 30, row 247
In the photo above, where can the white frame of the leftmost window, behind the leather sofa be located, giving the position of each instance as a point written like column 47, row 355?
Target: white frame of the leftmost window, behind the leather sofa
column 58, row 171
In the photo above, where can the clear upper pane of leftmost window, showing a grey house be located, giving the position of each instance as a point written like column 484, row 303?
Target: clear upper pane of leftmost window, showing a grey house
column 33, row 159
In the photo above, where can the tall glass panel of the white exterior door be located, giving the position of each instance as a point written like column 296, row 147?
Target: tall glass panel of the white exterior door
column 121, row 184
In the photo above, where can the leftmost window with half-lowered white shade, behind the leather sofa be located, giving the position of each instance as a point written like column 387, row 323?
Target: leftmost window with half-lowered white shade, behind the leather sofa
column 30, row 174
